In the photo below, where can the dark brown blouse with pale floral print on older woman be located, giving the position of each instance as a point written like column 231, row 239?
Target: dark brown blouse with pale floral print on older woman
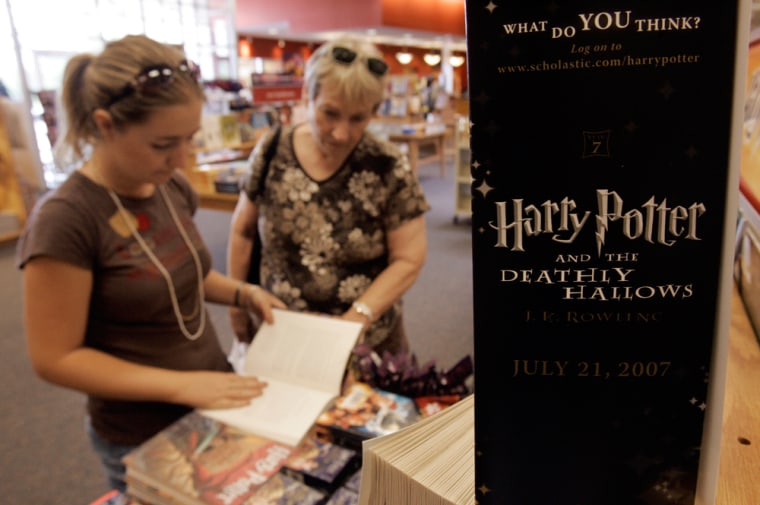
column 324, row 242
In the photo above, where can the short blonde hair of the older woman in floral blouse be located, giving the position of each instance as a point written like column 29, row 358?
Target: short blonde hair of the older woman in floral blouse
column 354, row 81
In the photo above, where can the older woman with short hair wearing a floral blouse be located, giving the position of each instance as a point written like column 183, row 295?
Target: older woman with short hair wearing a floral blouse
column 343, row 227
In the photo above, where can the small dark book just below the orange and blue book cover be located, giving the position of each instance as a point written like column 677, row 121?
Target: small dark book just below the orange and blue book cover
column 321, row 464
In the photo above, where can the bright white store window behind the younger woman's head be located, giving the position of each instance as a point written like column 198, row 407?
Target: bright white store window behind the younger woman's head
column 40, row 46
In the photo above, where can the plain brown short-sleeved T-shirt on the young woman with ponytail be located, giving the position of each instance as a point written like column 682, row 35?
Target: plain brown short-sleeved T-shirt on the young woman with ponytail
column 130, row 314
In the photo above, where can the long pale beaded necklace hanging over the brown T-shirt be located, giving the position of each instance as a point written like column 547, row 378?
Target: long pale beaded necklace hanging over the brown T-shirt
column 172, row 293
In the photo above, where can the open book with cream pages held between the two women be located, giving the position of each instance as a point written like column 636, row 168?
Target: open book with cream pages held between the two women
column 303, row 359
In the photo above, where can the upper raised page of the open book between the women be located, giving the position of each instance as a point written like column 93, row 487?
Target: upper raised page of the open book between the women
column 305, row 349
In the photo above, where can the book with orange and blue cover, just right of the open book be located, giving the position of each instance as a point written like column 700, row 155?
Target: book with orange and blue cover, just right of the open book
column 365, row 412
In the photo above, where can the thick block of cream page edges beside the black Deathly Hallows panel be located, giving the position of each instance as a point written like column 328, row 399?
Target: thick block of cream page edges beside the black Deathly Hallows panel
column 430, row 462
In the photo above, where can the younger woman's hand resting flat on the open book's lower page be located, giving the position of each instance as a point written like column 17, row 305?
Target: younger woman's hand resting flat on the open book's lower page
column 218, row 390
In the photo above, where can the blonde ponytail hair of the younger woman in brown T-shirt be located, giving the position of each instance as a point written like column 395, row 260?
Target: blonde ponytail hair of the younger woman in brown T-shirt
column 92, row 81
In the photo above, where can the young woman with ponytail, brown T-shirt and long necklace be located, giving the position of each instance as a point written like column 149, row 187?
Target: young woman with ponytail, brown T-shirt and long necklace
column 115, row 272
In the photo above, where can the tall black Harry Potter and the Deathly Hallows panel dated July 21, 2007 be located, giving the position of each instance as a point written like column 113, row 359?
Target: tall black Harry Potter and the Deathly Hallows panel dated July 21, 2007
column 605, row 173
